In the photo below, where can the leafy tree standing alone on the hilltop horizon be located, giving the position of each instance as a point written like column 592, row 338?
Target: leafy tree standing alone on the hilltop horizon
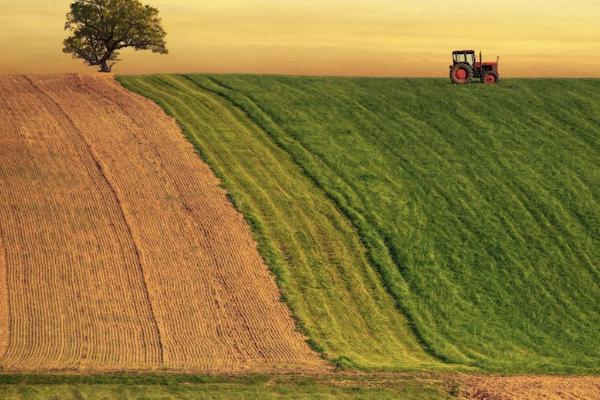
column 100, row 28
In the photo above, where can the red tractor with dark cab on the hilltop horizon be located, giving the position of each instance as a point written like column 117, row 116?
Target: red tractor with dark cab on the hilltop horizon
column 465, row 68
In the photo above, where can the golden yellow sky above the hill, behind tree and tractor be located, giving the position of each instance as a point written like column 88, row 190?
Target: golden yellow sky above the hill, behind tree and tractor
column 328, row 37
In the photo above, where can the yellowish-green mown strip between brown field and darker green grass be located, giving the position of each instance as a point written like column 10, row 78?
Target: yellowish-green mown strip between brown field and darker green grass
column 313, row 250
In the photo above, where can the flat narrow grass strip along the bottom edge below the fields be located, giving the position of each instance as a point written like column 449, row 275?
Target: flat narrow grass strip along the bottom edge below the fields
column 167, row 387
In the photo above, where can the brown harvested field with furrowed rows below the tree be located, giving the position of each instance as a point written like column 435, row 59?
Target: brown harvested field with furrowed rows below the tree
column 118, row 248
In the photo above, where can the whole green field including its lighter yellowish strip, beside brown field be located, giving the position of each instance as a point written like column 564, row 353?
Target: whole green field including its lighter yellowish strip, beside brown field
column 415, row 224
